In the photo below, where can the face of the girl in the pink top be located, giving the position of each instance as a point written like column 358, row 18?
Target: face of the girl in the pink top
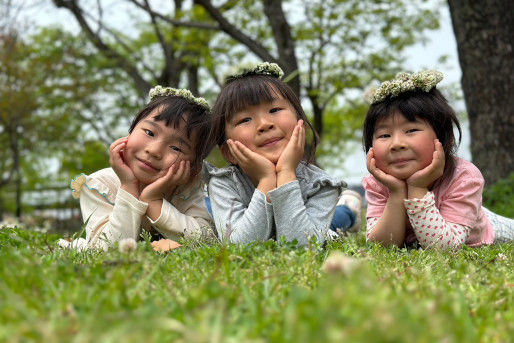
column 402, row 147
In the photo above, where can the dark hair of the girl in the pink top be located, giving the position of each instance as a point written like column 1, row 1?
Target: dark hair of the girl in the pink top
column 431, row 106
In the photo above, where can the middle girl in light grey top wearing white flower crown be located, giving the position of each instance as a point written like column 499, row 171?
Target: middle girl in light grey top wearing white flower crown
column 270, row 190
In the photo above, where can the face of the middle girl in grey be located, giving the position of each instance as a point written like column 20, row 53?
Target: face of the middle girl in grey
column 265, row 128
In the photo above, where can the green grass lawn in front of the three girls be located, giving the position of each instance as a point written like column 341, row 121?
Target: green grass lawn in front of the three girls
column 262, row 292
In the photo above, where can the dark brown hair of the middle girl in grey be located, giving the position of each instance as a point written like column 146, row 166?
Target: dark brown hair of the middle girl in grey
column 252, row 90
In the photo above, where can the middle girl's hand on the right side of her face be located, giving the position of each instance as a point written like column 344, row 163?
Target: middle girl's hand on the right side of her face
column 293, row 152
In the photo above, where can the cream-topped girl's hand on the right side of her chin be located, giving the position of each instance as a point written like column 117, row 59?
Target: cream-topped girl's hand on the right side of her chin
column 164, row 187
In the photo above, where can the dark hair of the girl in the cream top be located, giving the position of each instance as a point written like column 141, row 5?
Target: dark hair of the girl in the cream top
column 197, row 119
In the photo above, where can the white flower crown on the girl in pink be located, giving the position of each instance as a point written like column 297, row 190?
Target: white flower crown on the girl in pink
column 405, row 82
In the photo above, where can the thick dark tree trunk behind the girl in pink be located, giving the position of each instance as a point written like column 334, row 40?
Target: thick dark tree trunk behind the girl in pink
column 484, row 32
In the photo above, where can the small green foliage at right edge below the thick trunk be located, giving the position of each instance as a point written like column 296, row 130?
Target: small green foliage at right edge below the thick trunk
column 500, row 197
